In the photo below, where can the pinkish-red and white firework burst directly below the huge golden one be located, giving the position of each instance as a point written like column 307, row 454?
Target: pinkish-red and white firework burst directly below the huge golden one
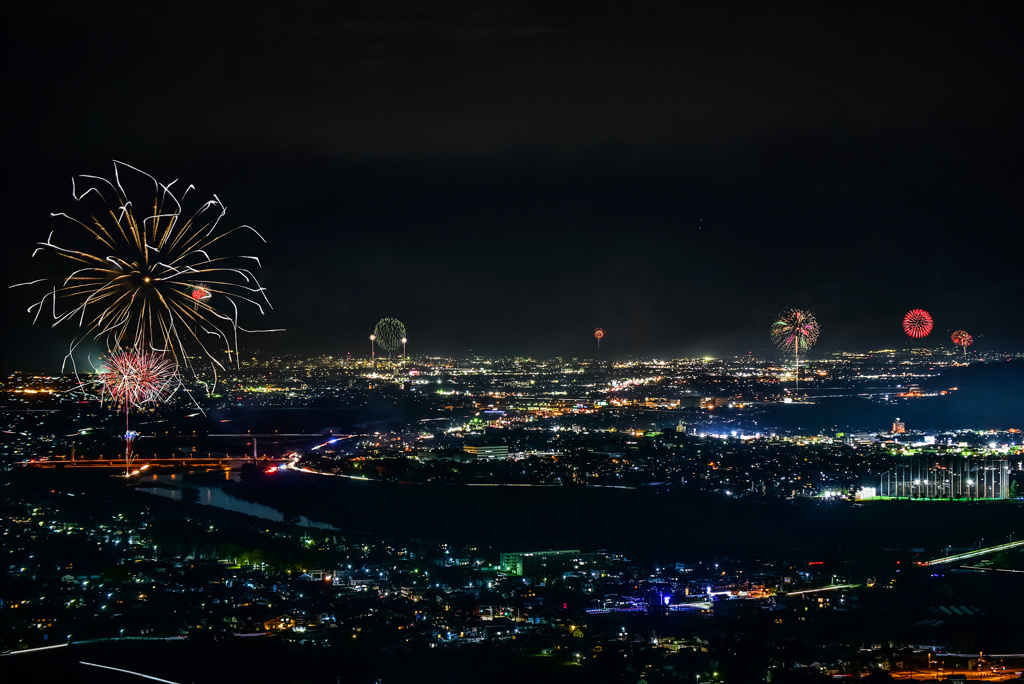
column 138, row 378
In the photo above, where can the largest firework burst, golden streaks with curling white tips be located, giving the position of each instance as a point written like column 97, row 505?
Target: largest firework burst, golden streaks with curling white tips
column 136, row 269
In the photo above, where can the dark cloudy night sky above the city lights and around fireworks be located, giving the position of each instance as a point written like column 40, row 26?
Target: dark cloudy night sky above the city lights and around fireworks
column 504, row 178
